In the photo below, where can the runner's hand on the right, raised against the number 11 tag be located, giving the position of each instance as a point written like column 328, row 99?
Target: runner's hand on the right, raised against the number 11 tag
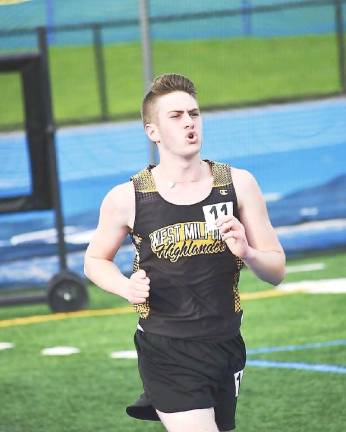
column 233, row 233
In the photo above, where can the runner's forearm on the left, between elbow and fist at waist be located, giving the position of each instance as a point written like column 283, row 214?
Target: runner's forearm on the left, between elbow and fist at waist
column 106, row 275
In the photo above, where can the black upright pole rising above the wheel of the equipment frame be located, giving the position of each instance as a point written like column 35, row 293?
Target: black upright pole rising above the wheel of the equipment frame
column 50, row 132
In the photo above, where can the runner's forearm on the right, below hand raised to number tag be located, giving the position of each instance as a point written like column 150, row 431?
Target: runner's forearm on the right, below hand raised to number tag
column 267, row 265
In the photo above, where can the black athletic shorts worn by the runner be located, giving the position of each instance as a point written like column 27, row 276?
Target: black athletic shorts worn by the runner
column 186, row 374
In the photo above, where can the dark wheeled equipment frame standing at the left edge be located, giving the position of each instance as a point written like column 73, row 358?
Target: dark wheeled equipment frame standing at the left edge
column 66, row 290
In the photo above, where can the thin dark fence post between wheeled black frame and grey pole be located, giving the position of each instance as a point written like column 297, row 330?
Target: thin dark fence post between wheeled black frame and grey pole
column 100, row 71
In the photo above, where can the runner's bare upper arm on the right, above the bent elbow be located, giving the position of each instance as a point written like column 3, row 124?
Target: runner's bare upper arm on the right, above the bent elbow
column 254, row 216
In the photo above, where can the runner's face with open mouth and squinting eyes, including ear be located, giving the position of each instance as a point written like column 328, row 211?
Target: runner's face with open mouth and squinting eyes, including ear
column 177, row 127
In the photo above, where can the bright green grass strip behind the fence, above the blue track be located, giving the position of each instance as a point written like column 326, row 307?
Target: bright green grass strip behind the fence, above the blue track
column 225, row 71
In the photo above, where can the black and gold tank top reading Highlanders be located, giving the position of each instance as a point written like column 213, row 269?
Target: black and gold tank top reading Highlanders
column 193, row 275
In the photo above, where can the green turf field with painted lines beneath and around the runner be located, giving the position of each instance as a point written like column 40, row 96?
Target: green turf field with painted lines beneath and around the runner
column 87, row 392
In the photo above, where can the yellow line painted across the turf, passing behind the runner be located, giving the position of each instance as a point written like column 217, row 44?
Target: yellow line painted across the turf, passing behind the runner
column 117, row 311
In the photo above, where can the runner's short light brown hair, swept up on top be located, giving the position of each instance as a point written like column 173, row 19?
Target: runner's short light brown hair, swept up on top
column 162, row 85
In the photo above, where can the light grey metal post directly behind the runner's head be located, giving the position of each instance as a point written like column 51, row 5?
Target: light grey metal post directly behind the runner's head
column 147, row 60
